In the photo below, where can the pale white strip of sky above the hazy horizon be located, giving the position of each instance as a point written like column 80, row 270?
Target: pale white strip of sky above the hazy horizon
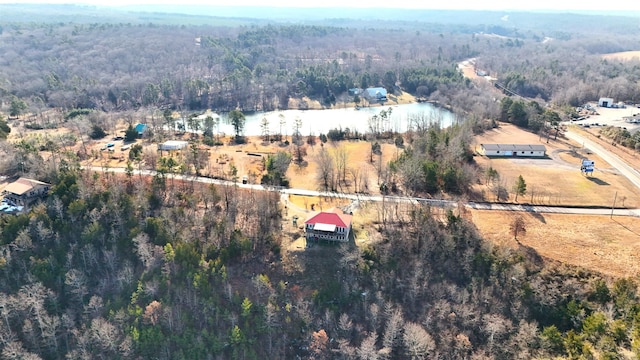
column 408, row 4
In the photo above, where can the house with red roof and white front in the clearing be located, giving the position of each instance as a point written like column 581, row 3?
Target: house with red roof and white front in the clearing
column 331, row 225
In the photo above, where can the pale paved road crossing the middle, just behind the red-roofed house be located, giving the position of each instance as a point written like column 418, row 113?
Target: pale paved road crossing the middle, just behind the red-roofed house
column 380, row 198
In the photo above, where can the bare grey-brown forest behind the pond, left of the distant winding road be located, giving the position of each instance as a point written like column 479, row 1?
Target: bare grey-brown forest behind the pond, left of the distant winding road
column 124, row 66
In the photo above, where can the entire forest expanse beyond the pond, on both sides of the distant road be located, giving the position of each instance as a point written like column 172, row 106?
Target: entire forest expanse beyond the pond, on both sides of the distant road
column 259, row 67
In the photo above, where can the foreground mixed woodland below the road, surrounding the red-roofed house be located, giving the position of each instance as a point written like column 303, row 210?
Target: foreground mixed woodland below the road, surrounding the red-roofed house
column 125, row 268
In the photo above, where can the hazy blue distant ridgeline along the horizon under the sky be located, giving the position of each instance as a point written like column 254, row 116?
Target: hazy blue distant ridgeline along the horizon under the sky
column 498, row 22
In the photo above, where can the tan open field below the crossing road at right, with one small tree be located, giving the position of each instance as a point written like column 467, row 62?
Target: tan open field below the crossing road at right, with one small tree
column 598, row 243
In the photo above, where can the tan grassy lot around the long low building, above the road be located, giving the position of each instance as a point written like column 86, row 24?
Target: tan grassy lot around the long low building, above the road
column 556, row 180
